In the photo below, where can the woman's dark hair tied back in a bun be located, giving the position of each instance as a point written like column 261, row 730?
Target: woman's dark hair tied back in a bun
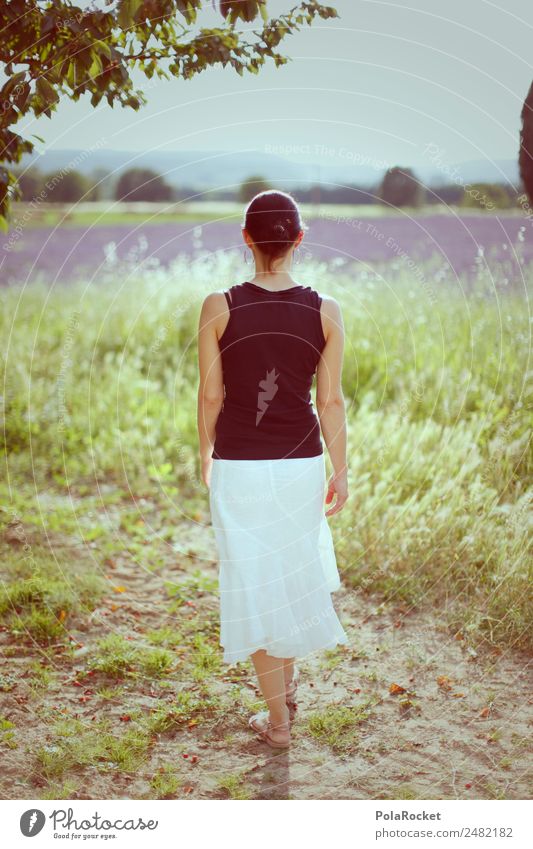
column 273, row 222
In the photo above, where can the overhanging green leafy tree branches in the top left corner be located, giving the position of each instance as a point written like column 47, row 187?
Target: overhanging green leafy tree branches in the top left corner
column 55, row 50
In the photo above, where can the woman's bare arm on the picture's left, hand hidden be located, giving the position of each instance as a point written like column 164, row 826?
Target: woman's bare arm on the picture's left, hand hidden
column 211, row 386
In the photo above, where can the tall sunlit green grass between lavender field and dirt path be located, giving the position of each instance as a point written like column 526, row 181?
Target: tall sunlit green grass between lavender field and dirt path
column 100, row 385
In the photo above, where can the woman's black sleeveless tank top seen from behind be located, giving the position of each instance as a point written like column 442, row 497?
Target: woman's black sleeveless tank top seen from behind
column 270, row 350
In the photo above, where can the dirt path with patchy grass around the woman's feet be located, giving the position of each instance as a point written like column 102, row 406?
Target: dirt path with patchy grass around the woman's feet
column 455, row 725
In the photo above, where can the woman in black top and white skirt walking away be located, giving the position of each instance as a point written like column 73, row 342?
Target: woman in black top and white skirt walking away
column 260, row 344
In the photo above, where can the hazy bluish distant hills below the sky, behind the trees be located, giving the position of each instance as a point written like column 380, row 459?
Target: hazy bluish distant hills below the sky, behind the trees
column 221, row 169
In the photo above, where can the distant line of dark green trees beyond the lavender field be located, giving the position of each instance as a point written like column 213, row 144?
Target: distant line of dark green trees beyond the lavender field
column 398, row 188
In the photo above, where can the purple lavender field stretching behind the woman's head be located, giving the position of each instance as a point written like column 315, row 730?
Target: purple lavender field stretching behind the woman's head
column 453, row 245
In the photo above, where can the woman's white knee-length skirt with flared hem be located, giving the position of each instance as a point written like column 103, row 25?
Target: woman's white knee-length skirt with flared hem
column 277, row 564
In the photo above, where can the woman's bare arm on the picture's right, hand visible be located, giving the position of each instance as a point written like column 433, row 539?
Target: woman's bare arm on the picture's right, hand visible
column 330, row 401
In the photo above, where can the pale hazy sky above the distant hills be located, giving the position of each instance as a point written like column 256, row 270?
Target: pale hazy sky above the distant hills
column 383, row 81
